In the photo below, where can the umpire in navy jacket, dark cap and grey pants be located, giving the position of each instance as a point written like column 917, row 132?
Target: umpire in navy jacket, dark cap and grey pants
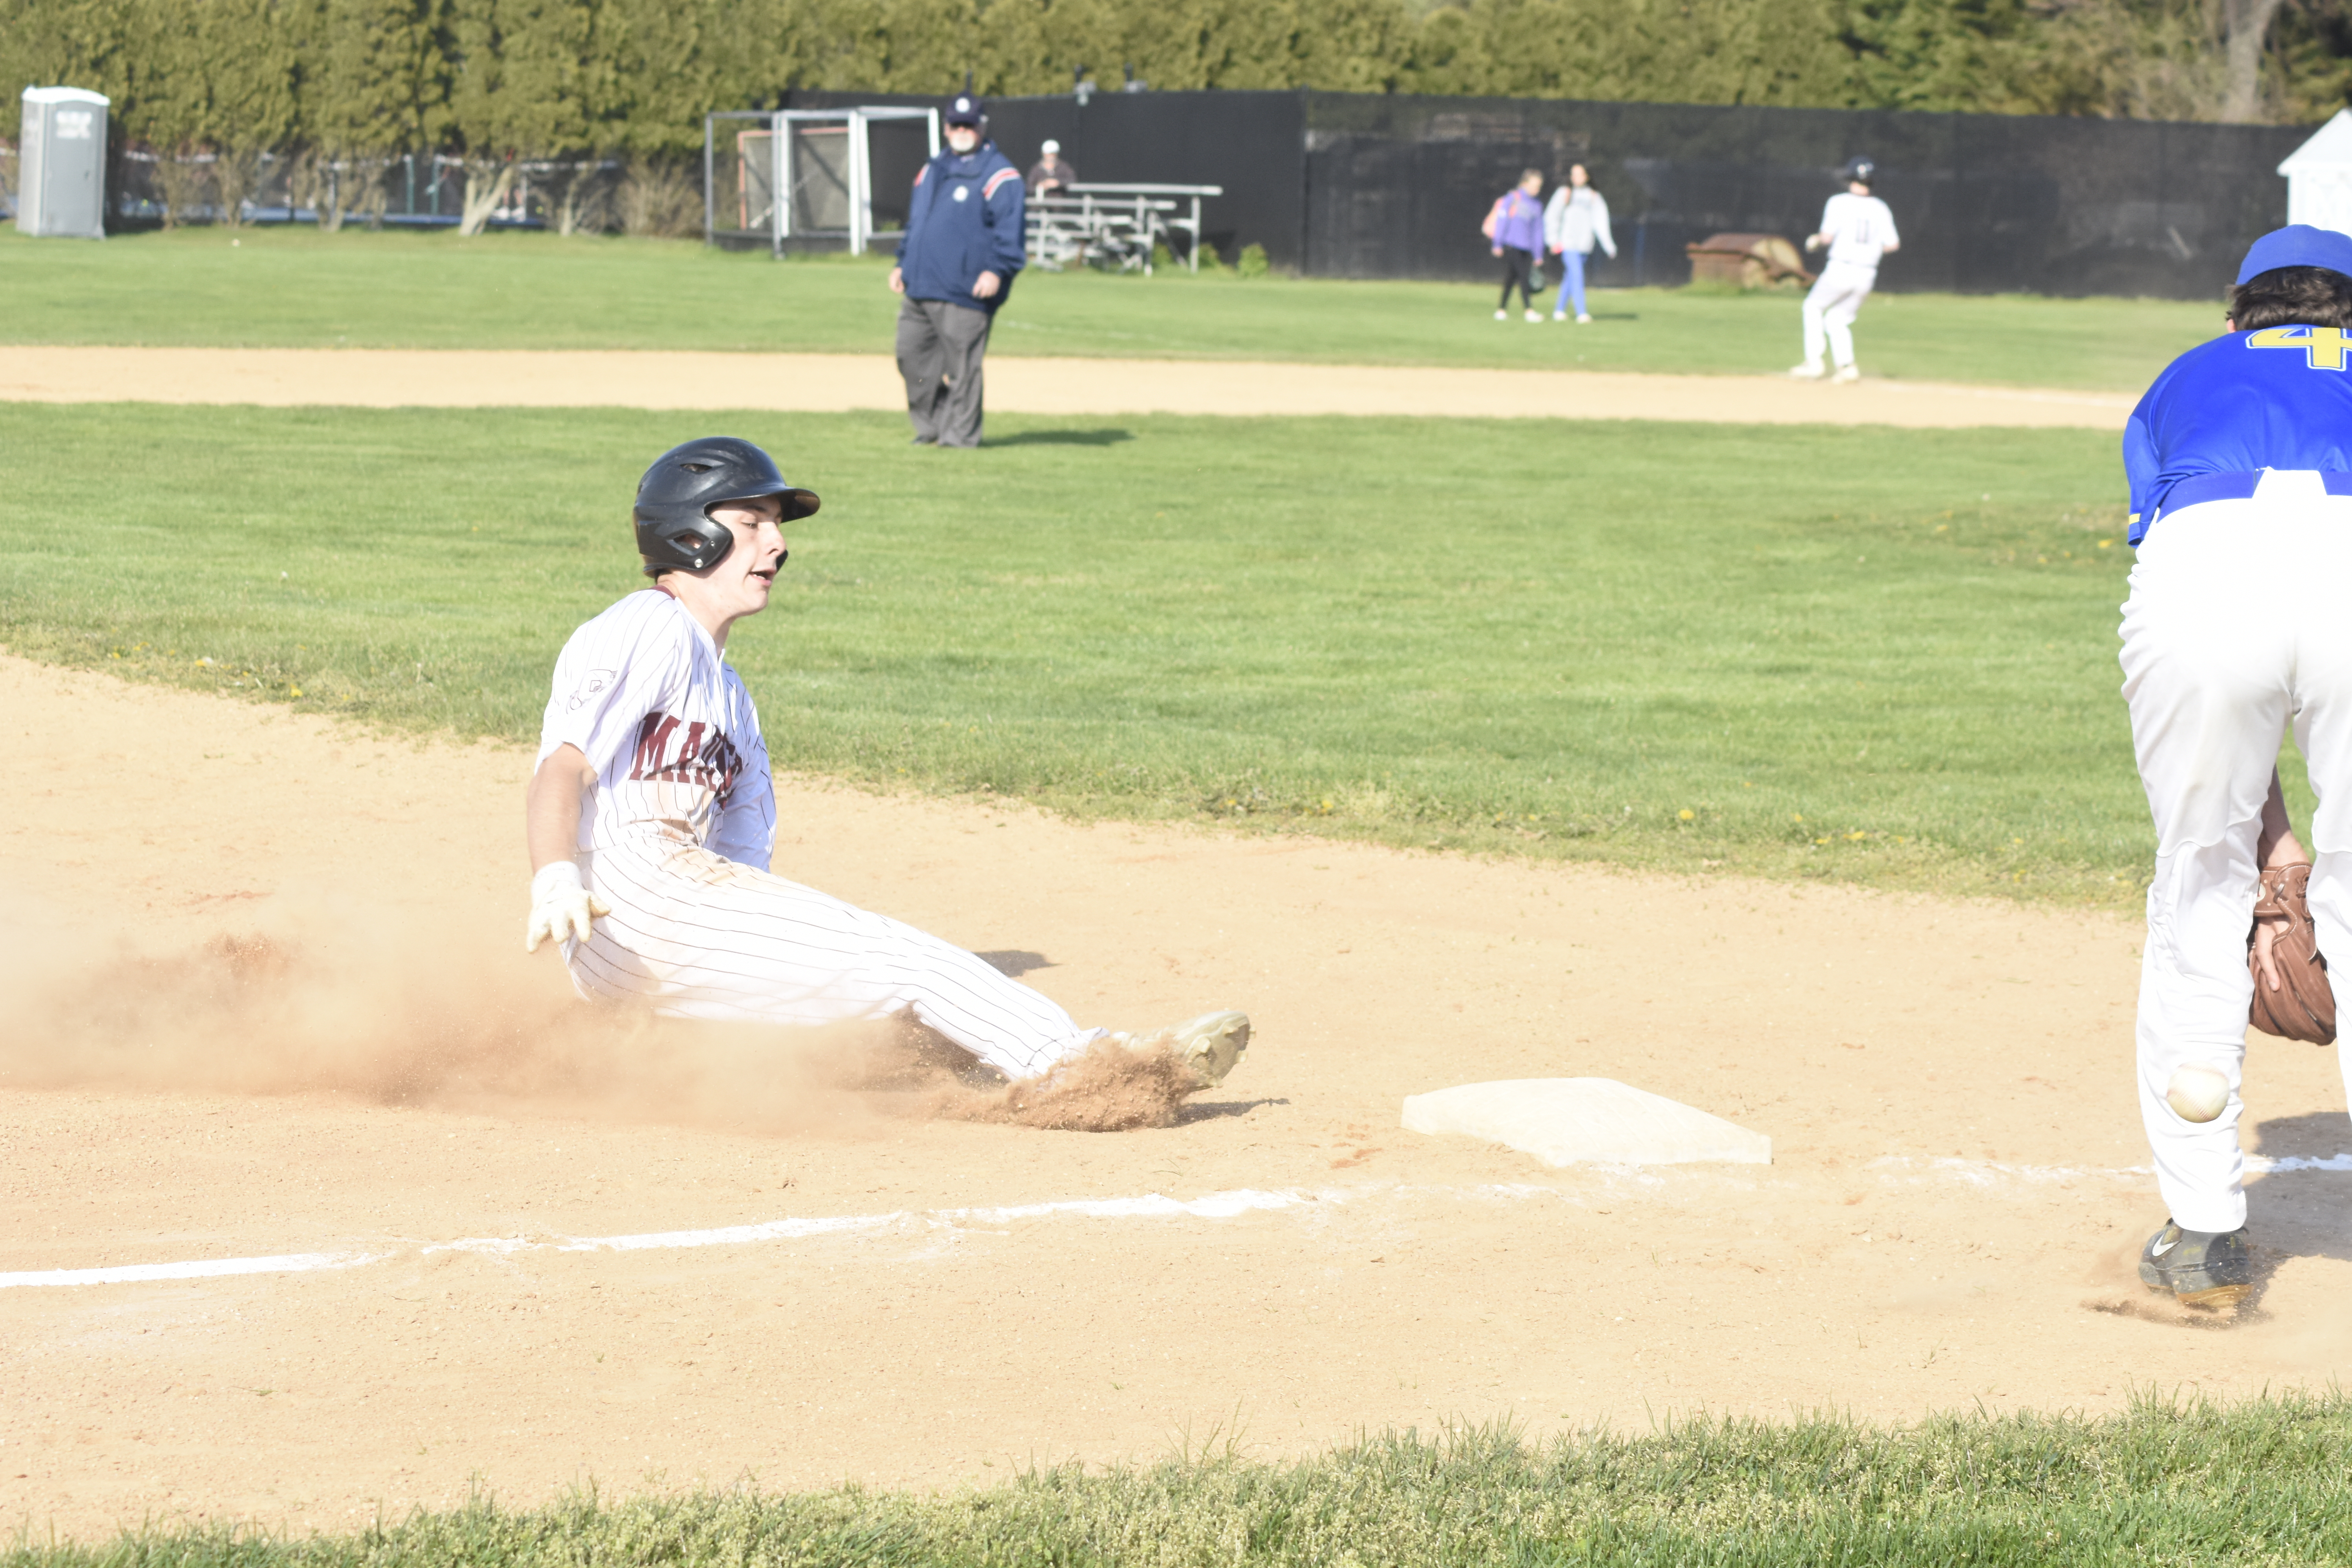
column 956, row 267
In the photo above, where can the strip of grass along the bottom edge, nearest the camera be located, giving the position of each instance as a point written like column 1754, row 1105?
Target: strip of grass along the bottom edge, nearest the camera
column 2252, row 1485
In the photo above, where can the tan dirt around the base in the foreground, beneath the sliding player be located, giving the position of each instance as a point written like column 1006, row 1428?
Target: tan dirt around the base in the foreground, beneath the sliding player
column 267, row 996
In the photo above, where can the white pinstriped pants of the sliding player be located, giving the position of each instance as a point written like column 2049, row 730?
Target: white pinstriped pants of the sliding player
column 700, row 937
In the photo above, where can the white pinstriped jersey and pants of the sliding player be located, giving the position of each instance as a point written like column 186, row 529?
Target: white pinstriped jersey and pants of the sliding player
column 676, row 838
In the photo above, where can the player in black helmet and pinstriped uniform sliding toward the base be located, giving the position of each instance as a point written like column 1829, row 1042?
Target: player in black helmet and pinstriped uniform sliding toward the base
column 653, row 815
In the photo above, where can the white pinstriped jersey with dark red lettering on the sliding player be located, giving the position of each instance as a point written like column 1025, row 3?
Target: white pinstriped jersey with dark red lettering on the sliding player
column 671, row 735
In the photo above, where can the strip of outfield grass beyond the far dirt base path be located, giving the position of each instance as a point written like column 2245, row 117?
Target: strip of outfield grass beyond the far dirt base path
column 526, row 290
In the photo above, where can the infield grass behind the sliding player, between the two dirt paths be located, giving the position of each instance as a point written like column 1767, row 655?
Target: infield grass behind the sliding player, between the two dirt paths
column 1855, row 655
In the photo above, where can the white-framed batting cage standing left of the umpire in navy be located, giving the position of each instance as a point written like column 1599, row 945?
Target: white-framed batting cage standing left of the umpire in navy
column 827, row 163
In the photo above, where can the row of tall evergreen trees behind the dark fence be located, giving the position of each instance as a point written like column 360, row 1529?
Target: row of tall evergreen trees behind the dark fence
column 500, row 81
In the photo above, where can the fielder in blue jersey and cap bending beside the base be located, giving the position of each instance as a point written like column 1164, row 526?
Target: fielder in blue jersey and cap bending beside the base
column 2240, row 467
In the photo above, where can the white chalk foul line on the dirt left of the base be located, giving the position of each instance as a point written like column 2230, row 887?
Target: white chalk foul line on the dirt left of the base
column 1149, row 1207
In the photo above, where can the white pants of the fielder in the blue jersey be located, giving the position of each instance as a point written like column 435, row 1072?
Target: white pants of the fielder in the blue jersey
column 2236, row 629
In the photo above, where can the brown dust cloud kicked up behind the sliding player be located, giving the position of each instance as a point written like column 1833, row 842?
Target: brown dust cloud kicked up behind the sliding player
column 399, row 1012
